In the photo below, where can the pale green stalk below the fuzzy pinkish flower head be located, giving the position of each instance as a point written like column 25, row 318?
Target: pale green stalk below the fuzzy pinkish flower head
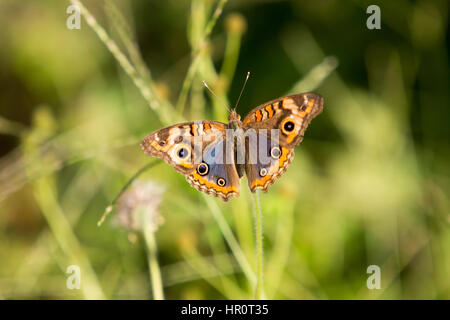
column 153, row 265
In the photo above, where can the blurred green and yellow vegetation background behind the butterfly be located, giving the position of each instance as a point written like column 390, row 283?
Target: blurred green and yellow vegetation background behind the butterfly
column 369, row 184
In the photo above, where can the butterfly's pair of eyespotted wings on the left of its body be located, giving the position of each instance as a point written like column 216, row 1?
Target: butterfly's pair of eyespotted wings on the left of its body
column 198, row 151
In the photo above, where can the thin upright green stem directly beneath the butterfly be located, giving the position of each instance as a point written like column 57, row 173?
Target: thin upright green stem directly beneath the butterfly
column 259, row 294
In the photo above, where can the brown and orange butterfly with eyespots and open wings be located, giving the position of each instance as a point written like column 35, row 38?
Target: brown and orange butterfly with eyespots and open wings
column 213, row 156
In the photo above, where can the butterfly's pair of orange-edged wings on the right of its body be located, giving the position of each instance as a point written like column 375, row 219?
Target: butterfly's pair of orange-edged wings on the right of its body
column 280, row 125
